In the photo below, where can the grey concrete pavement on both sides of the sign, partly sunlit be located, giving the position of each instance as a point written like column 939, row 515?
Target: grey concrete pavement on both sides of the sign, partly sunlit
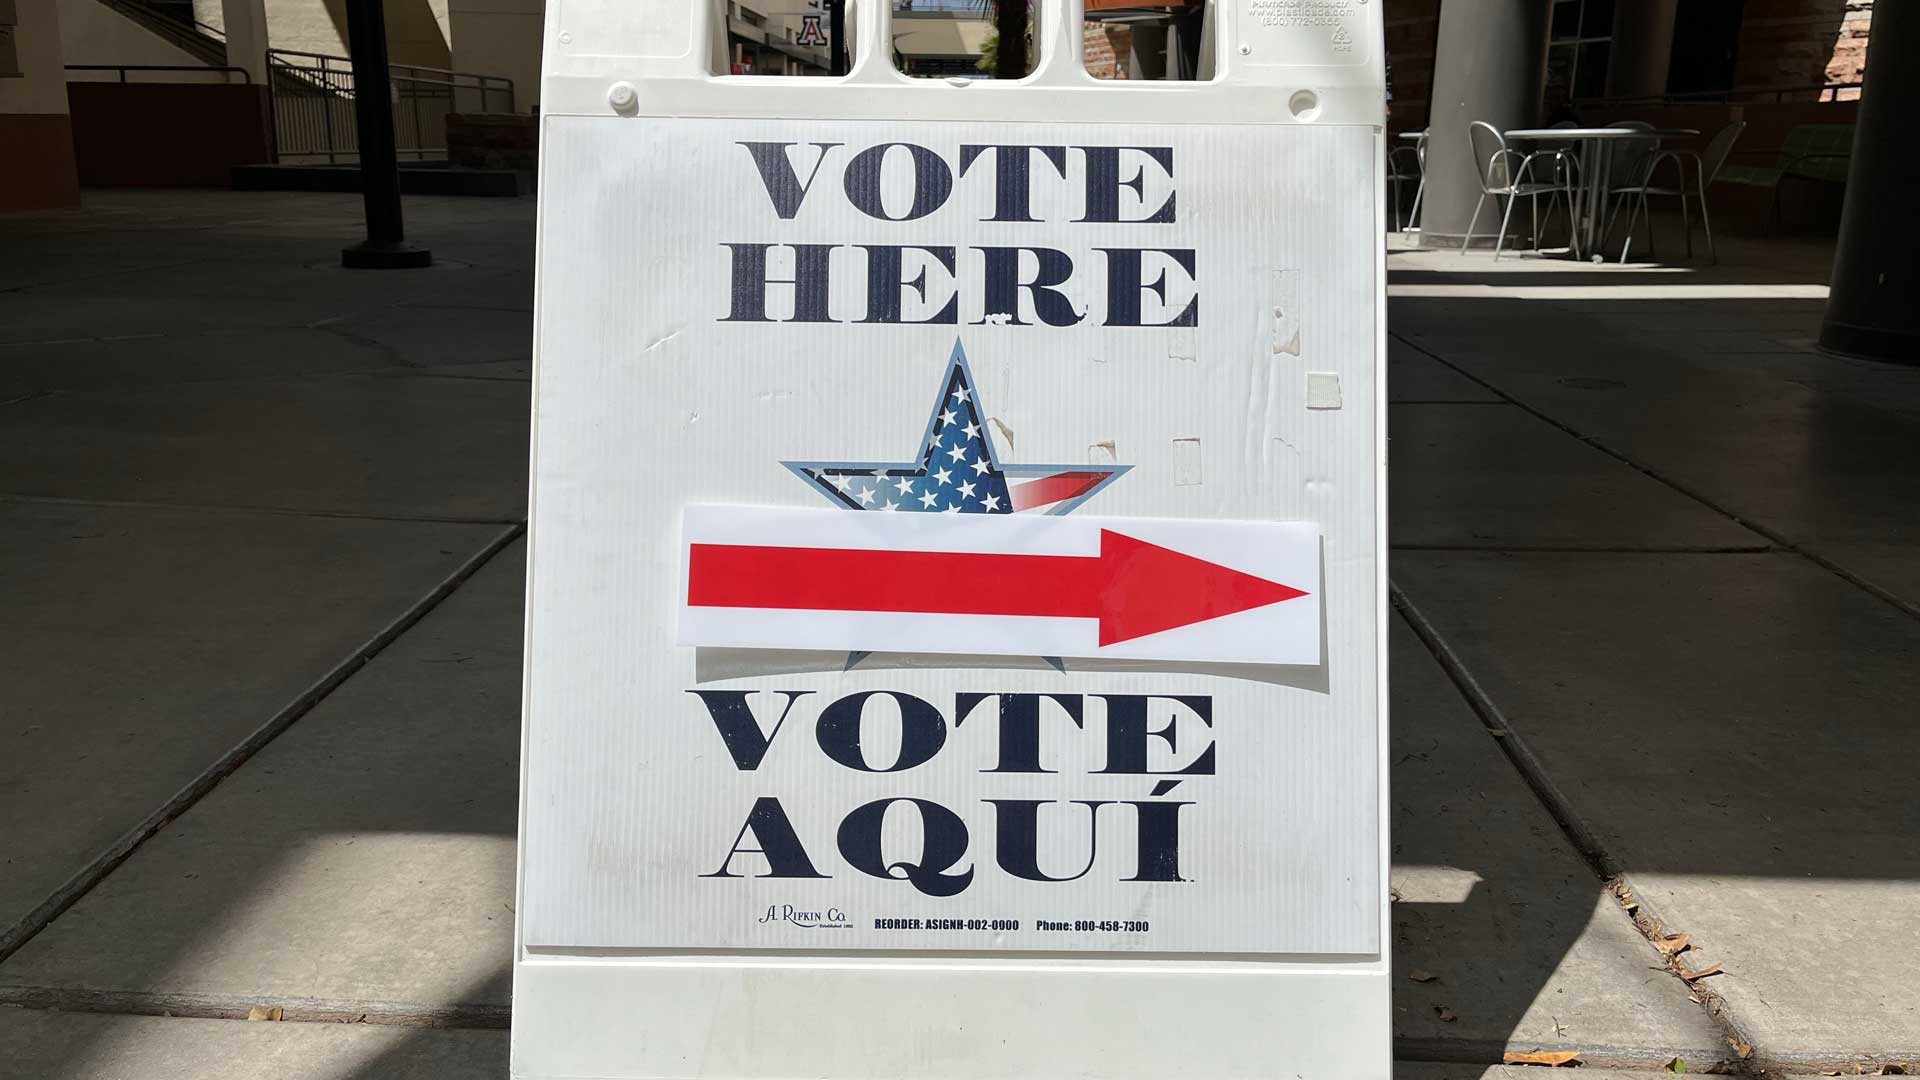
column 1654, row 654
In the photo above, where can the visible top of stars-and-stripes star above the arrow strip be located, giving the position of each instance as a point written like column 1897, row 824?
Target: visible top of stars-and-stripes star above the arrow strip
column 957, row 468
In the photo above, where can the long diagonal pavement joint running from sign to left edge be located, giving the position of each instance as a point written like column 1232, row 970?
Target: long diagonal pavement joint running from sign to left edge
column 107, row 862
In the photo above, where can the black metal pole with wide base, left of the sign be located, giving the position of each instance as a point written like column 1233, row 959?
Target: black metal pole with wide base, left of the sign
column 373, row 112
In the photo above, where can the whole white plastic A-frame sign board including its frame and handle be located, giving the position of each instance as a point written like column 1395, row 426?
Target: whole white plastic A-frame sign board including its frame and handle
column 957, row 576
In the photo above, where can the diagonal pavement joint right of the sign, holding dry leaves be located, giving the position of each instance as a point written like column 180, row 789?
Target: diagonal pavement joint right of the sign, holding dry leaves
column 1740, row 1054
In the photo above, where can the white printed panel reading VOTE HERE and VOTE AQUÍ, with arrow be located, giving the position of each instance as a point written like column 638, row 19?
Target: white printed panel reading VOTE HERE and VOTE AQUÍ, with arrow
column 955, row 537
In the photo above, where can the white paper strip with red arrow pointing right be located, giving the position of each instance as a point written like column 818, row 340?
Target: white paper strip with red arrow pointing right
column 1149, row 589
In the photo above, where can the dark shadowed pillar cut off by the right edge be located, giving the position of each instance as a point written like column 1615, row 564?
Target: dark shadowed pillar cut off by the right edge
column 1871, row 310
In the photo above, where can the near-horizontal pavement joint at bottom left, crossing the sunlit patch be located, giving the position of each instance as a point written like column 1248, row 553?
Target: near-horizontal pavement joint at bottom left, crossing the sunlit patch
column 197, row 1006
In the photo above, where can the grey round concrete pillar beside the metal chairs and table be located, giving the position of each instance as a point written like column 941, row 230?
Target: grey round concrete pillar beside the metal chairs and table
column 1491, row 64
